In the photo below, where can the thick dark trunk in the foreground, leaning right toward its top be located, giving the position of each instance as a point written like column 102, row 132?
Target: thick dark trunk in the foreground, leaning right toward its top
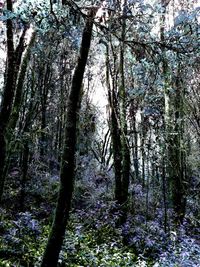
column 51, row 254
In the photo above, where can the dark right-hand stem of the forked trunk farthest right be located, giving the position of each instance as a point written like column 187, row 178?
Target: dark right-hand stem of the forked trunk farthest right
column 177, row 157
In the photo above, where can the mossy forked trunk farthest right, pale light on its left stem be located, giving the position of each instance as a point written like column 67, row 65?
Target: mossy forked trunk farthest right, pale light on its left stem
column 173, row 122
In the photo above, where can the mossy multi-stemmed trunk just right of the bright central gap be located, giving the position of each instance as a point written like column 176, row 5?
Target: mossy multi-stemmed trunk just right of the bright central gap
column 118, row 122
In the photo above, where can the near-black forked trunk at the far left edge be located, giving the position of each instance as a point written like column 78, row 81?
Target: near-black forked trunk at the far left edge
column 12, row 69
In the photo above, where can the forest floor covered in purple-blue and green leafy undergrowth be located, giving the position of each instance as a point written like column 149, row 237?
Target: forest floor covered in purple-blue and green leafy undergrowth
column 94, row 236
